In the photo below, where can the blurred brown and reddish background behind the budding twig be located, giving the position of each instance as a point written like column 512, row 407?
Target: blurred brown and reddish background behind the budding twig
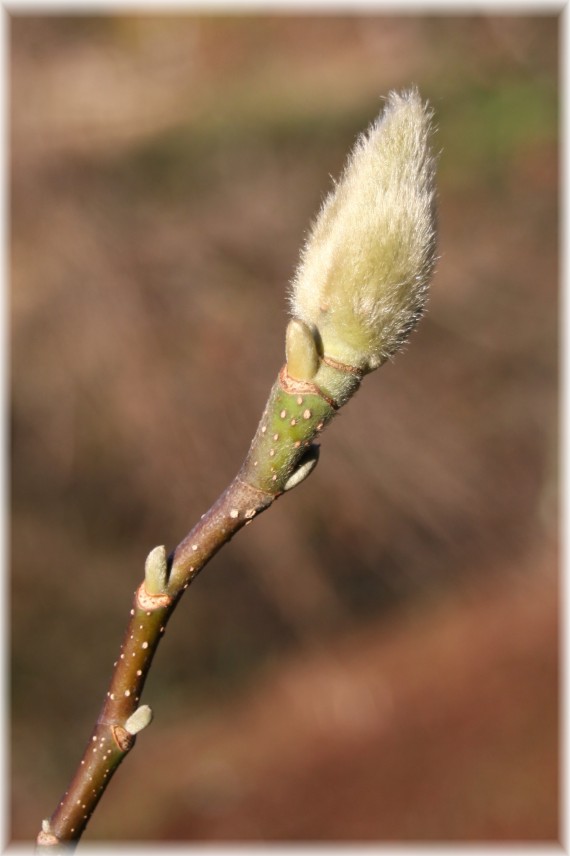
column 376, row 659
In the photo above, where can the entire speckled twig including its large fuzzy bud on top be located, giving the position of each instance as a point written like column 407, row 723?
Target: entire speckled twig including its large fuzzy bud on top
column 359, row 291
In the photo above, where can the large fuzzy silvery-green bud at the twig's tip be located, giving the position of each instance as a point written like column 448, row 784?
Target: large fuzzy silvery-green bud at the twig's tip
column 364, row 272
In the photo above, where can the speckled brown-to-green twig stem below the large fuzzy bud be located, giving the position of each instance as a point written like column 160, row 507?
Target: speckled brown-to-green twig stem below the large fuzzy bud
column 281, row 455
